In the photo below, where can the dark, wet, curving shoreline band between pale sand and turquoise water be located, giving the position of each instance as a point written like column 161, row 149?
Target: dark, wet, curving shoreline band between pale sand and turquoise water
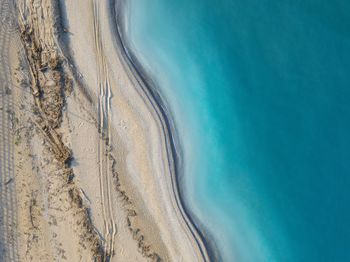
column 149, row 88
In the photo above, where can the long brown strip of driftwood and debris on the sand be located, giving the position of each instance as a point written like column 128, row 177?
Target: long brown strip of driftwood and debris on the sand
column 49, row 83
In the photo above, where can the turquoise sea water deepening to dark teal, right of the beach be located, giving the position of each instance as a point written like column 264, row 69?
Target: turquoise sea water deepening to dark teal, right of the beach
column 260, row 94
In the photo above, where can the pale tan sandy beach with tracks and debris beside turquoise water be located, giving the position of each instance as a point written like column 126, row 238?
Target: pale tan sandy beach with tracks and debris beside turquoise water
column 95, row 161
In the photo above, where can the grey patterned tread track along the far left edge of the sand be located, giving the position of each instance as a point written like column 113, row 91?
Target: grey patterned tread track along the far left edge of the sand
column 8, row 206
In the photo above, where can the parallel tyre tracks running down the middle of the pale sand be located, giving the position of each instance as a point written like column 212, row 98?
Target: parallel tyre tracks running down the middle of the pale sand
column 110, row 229
